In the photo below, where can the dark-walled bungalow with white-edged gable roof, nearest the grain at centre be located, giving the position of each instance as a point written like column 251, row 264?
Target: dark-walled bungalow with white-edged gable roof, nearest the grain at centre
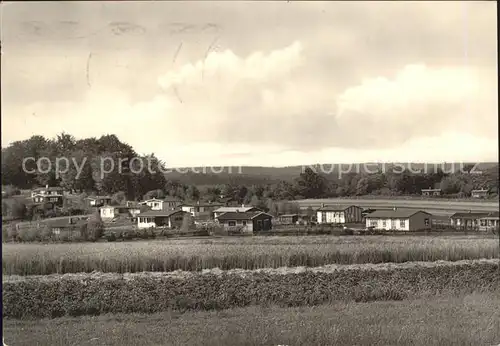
column 249, row 221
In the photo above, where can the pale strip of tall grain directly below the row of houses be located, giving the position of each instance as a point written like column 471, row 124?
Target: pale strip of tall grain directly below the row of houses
column 235, row 252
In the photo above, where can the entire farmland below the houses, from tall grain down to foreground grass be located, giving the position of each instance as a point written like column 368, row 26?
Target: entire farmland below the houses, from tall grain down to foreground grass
column 263, row 281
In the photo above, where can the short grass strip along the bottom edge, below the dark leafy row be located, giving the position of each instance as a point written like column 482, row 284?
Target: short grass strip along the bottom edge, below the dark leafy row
column 466, row 320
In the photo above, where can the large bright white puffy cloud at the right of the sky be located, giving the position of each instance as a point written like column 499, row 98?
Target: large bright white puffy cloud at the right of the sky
column 419, row 101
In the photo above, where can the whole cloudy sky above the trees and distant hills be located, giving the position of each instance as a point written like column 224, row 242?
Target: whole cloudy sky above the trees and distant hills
column 257, row 83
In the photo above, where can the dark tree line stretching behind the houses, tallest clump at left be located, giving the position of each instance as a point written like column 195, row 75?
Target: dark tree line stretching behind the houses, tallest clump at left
column 129, row 184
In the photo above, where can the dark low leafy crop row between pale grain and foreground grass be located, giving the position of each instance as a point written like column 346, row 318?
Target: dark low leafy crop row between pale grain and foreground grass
column 39, row 297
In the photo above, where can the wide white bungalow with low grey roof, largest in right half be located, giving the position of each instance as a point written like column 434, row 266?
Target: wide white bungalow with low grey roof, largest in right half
column 399, row 220
